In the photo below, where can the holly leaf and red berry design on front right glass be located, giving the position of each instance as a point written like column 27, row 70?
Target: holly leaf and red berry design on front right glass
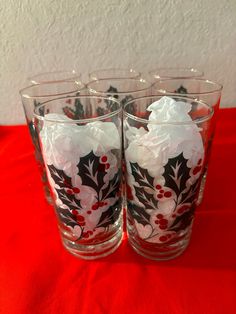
column 180, row 190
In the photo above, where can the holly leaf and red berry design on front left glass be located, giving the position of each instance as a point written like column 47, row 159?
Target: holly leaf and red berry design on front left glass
column 92, row 171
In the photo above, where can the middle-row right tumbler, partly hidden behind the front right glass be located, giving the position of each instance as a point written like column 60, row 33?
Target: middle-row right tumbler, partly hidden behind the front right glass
column 199, row 89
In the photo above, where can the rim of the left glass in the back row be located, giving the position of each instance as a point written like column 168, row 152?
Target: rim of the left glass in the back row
column 71, row 75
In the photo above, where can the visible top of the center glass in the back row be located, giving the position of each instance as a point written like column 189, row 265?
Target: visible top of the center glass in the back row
column 113, row 73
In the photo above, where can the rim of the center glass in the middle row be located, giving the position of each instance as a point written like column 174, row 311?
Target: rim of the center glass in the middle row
column 141, row 80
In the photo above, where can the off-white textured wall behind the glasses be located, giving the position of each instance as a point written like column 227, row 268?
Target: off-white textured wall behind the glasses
column 50, row 35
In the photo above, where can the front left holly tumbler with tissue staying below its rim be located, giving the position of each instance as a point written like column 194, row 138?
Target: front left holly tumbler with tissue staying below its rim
column 82, row 157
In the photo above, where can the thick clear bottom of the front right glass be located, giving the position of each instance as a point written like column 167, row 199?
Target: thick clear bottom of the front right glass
column 160, row 252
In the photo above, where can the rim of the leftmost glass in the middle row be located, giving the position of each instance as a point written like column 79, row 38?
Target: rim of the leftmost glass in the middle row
column 27, row 96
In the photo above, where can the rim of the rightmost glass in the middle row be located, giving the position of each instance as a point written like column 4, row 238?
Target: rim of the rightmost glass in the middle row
column 218, row 86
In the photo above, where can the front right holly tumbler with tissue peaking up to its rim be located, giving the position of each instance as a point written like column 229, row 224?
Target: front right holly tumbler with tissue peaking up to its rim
column 165, row 145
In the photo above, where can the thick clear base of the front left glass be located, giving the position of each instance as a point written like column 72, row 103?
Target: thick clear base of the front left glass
column 95, row 251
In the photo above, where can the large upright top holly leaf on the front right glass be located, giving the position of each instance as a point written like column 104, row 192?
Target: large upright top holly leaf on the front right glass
column 176, row 174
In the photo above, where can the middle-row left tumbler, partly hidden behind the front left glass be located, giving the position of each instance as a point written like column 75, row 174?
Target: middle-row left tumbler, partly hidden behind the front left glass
column 32, row 97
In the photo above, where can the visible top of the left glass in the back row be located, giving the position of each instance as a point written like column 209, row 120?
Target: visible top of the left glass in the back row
column 56, row 76
